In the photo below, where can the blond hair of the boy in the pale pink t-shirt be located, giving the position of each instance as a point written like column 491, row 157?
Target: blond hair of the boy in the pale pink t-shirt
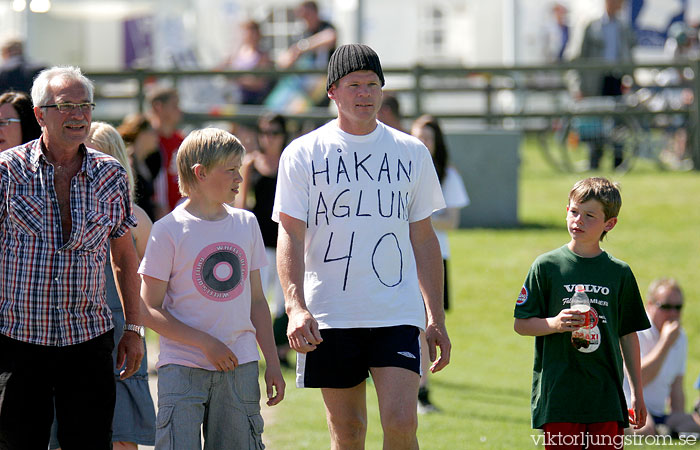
column 207, row 147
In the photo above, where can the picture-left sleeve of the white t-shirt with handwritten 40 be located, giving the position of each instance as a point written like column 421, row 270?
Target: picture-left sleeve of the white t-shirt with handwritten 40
column 292, row 191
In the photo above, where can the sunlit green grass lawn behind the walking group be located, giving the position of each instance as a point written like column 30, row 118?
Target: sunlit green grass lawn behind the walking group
column 485, row 392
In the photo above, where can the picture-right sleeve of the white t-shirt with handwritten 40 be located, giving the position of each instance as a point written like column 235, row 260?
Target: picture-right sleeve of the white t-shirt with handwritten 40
column 427, row 194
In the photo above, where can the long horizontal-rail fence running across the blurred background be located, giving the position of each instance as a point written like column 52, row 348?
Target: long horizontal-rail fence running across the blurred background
column 534, row 94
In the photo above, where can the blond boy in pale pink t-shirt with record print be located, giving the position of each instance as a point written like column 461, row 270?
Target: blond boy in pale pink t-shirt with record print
column 203, row 295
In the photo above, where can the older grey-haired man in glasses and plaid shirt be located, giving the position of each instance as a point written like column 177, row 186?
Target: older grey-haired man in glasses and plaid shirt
column 60, row 205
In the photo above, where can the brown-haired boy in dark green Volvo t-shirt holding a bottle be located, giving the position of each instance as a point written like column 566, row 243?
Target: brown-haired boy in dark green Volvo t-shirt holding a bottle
column 577, row 395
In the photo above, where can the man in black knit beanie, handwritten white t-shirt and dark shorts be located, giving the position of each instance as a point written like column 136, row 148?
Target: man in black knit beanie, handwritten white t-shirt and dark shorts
column 358, row 258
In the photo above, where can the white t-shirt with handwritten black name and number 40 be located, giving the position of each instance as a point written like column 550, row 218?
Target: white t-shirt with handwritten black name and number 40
column 357, row 196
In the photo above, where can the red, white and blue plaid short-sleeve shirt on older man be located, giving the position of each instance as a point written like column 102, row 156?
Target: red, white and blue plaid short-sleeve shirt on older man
column 53, row 292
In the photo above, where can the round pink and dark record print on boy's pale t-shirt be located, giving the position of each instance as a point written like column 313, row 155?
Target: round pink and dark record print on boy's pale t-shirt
column 219, row 271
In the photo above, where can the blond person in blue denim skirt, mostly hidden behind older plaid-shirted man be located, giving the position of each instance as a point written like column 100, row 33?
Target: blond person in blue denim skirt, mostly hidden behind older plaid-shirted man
column 134, row 420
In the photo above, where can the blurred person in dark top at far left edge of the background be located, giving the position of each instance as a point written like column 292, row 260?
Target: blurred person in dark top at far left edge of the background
column 16, row 72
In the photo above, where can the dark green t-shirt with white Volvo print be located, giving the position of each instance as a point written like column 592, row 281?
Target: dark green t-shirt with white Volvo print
column 580, row 385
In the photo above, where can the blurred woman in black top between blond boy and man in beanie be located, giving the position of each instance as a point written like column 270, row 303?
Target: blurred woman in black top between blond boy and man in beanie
column 259, row 174
